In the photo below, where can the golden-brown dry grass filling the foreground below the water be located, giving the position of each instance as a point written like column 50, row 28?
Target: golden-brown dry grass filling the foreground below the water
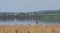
column 30, row 29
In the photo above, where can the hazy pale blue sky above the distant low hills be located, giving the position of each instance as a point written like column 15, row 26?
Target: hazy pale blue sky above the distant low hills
column 28, row 5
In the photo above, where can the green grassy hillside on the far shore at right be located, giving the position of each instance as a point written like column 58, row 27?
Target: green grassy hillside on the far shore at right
column 51, row 16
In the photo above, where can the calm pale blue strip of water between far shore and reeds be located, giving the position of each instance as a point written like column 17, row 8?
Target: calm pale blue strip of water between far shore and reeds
column 25, row 22
